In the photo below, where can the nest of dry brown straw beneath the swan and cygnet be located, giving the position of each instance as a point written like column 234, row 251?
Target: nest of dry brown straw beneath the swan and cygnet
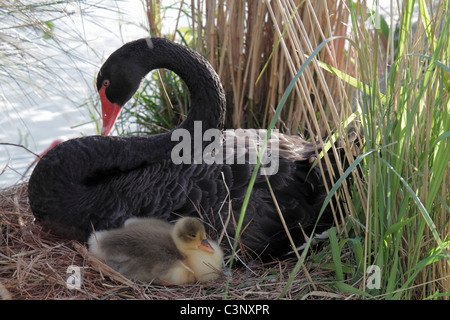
column 34, row 265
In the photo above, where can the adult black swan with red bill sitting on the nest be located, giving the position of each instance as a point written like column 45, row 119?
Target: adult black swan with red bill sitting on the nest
column 98, row 182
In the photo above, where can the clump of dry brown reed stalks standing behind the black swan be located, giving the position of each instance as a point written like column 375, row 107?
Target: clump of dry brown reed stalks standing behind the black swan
column 240, row 37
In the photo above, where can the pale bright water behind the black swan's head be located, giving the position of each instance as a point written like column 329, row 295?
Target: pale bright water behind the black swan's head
column 58, row 102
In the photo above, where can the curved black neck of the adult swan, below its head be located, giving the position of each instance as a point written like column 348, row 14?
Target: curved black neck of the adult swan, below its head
column 206, row 92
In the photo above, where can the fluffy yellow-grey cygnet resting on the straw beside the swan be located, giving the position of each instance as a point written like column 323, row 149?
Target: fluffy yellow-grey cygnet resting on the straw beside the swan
column 153, row 250
